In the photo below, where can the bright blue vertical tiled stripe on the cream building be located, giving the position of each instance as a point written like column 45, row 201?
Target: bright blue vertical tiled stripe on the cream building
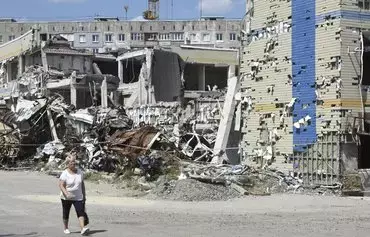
column 303, row 72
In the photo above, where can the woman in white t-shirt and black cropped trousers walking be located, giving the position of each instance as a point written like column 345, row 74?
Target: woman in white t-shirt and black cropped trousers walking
column 71, row 184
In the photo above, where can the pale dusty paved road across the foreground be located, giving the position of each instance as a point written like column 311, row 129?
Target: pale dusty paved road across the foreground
column 29, row 206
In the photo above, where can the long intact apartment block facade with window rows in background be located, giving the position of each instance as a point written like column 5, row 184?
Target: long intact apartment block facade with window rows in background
column 106, row 34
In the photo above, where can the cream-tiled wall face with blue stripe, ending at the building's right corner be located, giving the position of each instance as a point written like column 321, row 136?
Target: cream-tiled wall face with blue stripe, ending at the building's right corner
column 292, row 86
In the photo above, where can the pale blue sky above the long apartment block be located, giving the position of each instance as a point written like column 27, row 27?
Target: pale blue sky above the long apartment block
column 81, row 9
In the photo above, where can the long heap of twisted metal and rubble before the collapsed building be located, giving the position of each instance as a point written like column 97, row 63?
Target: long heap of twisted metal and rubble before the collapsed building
column 42, row 130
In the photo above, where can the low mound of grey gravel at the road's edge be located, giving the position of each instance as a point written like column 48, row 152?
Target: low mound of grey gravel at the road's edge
column 192, row 191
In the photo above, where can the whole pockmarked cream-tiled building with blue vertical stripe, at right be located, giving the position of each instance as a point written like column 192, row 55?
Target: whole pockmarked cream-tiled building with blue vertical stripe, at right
column 304, row 87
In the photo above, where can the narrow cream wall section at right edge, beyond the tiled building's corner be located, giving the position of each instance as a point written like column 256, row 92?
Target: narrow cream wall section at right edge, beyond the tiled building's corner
column 354, row 98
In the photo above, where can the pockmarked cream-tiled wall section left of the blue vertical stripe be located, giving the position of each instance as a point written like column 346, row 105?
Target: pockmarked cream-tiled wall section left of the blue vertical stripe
column 266, row 86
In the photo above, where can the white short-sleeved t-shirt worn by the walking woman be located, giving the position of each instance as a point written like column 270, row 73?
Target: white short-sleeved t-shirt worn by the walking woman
column 73, row 185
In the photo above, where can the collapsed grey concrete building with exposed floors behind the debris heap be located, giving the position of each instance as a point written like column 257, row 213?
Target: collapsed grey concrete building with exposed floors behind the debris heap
column 180, row 90
